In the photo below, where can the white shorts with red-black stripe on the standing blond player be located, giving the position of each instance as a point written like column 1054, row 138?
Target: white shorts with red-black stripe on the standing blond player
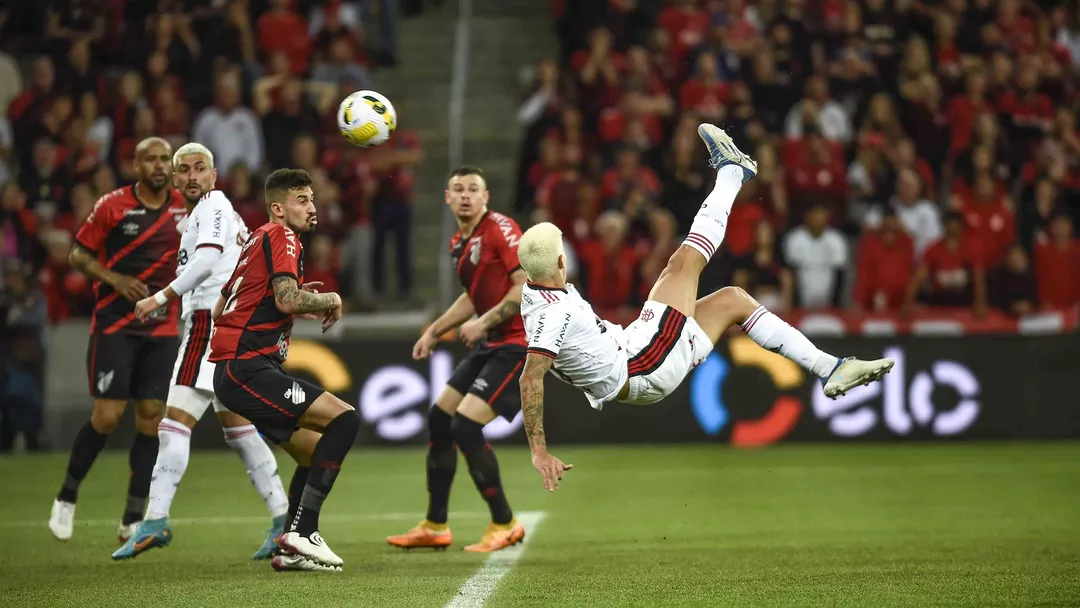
column 193, row 385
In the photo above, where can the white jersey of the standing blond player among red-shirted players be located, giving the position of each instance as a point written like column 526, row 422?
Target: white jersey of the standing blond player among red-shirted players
column 213, row 223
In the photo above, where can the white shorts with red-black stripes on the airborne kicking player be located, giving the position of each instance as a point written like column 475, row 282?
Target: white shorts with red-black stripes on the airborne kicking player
column 663, row 347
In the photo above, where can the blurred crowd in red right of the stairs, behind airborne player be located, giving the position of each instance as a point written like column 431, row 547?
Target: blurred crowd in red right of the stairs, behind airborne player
column 911, row 153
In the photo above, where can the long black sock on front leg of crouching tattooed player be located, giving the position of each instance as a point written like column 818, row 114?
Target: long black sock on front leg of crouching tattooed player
column 337, row 439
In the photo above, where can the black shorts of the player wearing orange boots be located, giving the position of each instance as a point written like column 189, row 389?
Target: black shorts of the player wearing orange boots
column 492, row 374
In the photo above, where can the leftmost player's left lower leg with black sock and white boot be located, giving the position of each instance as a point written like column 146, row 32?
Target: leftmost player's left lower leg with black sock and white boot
column 88, row 445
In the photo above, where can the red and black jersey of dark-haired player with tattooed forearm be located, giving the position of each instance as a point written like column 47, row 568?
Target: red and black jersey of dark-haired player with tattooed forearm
column 251, row 326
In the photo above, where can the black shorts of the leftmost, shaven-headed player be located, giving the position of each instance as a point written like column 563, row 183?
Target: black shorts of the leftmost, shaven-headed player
column 123, row 367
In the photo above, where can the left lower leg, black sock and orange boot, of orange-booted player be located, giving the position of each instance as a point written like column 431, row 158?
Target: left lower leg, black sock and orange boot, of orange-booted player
column 442, row 461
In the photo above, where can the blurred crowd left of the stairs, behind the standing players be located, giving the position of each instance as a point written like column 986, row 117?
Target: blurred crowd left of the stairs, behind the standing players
column 258, row 82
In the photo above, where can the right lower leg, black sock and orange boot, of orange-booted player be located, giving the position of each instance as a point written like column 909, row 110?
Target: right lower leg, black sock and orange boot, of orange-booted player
column 468, row 430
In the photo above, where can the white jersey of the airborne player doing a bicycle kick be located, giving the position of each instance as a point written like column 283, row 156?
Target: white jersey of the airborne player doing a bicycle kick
column 588, row 353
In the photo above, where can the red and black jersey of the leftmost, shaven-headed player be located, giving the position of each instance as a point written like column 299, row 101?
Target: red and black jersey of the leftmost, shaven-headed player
column 130, row 238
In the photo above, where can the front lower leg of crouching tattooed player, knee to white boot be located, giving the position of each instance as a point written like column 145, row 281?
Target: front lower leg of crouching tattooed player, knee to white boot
column 340, row 425
